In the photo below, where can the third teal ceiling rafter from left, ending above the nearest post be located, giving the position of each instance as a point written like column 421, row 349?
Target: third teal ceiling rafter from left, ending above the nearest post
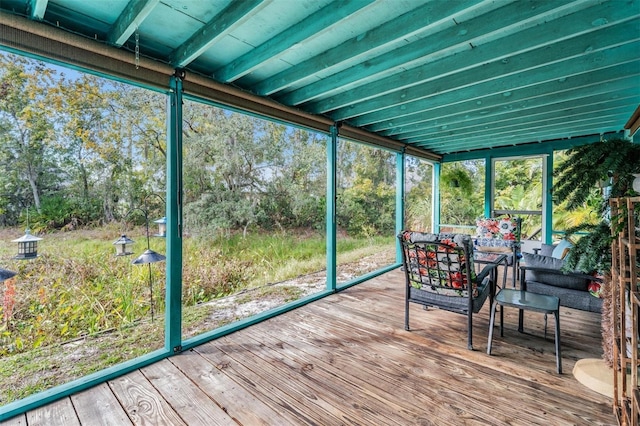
column 221, row 24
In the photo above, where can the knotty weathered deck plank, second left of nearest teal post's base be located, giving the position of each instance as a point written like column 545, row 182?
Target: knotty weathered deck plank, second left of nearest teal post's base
column 142, row 402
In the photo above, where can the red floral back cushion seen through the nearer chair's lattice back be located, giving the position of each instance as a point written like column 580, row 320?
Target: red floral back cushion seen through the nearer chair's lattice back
column 436, row 268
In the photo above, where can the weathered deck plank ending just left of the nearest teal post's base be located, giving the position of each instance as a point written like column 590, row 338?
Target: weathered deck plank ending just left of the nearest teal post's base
column 184, row 396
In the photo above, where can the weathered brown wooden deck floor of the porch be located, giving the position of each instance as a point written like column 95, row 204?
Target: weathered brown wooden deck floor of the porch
column 347, row 360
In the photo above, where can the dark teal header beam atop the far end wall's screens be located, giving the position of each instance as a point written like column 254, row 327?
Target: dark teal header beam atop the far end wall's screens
column 529, row 149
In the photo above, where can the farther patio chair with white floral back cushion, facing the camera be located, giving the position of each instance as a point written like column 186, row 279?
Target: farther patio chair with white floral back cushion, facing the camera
column 500, row 235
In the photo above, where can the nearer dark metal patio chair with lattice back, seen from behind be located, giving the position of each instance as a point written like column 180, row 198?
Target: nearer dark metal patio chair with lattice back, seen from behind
column 439, row 273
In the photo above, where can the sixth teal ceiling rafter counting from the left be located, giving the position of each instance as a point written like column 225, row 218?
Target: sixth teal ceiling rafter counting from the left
column 448, row 42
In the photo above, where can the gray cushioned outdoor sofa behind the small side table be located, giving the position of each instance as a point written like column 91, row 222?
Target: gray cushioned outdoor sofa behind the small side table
column 542, row 274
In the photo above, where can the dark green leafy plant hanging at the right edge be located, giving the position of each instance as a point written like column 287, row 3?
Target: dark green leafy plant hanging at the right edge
column 577, row 181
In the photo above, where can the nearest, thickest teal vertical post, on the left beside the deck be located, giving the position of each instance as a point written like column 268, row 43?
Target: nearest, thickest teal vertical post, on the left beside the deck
column 173, row 310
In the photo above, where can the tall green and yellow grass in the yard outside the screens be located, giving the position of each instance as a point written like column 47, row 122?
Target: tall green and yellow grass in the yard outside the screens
column 79, row 308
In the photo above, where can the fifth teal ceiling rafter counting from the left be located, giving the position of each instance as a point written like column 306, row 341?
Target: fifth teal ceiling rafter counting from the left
column 391, row 33
